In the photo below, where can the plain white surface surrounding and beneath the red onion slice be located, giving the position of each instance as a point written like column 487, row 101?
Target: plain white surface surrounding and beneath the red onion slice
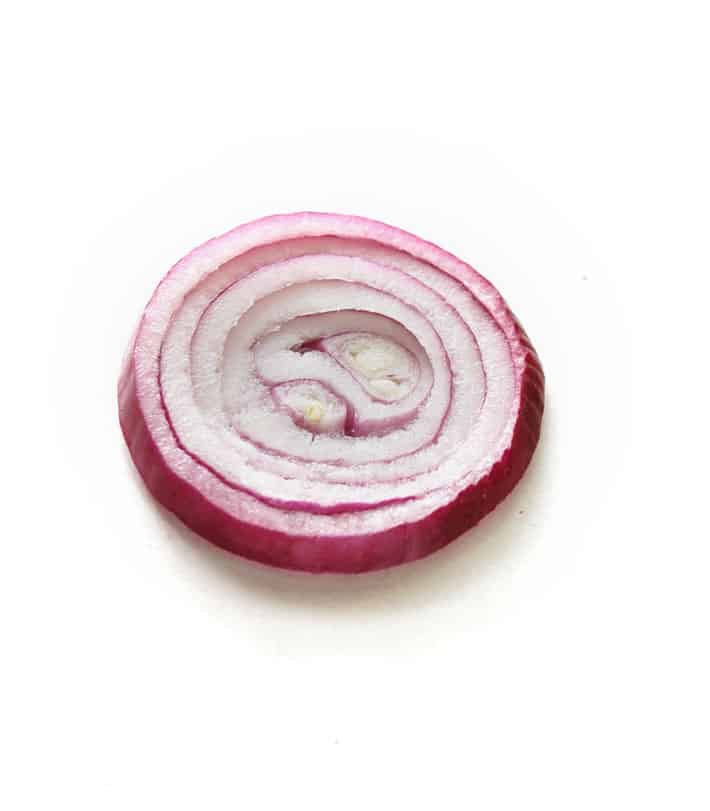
column 555, row 659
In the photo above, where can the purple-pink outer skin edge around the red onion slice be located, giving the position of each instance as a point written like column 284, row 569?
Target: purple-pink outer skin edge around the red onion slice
column 355, row 553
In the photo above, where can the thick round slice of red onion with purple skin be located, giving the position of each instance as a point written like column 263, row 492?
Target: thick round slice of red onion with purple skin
column 329, row 393
